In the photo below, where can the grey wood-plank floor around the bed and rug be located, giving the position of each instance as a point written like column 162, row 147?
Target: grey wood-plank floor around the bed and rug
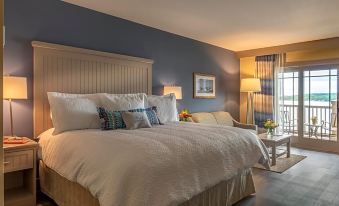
column 312, row 182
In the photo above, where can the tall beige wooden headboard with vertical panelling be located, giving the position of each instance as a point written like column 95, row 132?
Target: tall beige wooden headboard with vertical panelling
column 68, row 69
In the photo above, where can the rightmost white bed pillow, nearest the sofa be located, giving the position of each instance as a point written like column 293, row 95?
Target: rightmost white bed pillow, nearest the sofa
column 166, row 107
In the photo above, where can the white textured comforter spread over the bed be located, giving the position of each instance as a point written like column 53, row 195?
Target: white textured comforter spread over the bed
column 159, row 166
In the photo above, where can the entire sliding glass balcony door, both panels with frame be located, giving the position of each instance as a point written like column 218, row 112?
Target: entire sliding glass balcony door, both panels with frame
column 308, row 106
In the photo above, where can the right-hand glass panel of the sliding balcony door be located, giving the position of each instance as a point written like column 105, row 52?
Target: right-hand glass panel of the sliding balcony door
column 320, row 103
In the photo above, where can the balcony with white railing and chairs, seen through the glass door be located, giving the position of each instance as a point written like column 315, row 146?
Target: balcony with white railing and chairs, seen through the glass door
column 324, row 129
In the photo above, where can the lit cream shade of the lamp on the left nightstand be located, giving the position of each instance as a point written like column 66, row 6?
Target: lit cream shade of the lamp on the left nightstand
column 14, row 87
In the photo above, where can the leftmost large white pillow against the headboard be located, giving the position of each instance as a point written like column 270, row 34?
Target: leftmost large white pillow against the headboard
column 74, row 111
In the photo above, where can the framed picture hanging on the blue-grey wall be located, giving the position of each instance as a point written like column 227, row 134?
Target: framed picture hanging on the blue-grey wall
column 204, row 86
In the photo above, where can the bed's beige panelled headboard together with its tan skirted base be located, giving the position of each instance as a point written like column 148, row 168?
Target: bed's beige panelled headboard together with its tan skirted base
column 68, row 69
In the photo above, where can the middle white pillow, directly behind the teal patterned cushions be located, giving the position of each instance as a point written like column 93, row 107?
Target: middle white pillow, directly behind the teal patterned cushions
column 123, row 102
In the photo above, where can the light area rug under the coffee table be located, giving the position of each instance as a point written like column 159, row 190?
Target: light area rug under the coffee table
column 283, row 163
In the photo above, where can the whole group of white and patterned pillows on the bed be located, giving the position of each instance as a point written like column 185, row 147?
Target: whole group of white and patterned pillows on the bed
column 116, row 111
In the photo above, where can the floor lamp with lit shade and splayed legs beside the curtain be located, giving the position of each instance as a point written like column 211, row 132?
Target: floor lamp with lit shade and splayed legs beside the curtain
column 250, row 85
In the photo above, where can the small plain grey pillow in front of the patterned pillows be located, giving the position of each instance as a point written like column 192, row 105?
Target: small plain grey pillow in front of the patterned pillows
column 135, row 120
